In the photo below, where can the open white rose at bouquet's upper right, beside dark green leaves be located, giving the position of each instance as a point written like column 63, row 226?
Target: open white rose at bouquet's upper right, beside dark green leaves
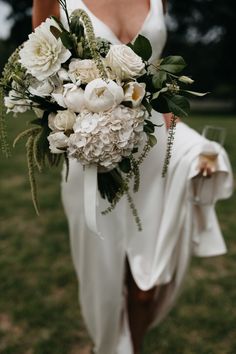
column 124, row 62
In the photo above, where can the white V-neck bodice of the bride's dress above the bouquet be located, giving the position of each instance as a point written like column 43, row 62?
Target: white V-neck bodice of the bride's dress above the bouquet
column 152, row 28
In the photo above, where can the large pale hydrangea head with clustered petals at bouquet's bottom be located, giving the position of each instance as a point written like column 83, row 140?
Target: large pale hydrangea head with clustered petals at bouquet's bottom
column 103, row 138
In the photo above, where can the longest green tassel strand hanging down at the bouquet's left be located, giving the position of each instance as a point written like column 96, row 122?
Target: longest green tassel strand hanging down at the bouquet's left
column 31, row 171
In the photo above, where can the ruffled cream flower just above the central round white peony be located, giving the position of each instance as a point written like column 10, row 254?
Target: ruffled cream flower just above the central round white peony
column 83, row 70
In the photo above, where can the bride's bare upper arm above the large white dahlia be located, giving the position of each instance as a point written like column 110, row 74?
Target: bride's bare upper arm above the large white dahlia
column 43, row 9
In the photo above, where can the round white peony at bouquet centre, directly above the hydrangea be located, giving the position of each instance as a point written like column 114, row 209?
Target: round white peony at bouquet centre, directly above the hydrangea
column 100, row 95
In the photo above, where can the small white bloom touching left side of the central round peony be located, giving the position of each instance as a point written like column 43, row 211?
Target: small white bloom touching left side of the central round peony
column 74, row 98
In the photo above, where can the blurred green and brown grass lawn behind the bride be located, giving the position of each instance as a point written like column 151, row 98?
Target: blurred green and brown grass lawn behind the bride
column 39, row 313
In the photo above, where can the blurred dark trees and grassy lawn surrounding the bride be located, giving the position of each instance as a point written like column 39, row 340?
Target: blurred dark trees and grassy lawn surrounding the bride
column 38, row 288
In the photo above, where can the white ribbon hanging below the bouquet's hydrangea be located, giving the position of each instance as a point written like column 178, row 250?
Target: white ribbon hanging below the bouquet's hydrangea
column 90, row 197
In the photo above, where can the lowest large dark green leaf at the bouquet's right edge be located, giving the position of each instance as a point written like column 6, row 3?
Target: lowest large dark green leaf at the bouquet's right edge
column 178, row 105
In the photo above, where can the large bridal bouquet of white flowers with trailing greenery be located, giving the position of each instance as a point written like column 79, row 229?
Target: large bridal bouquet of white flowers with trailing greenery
column 92, row 102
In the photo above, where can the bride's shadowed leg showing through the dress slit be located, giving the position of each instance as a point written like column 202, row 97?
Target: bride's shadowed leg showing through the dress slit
column 143, row 306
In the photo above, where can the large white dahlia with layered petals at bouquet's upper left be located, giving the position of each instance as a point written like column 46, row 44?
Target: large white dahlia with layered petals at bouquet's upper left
column 43, row 54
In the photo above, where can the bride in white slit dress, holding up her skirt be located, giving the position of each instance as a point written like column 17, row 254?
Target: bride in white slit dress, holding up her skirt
column 129, row 280
